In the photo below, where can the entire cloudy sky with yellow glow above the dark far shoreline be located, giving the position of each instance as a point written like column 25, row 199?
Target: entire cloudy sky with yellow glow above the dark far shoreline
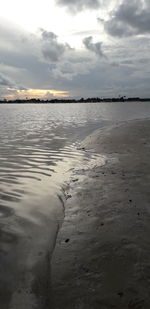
column 74, row 48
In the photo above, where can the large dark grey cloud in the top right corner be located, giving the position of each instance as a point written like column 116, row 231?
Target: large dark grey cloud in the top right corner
column 130, row 18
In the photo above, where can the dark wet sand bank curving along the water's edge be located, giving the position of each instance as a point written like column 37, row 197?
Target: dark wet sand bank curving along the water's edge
column 102, row 255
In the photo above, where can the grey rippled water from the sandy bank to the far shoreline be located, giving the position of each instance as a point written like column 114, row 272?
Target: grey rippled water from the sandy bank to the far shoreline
column 38, row 148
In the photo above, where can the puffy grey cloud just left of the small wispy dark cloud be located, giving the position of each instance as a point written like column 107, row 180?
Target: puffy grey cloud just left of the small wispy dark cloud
column 52, row 50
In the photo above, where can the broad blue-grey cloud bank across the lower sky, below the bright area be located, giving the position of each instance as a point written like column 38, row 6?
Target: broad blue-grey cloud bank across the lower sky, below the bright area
column 42, row 61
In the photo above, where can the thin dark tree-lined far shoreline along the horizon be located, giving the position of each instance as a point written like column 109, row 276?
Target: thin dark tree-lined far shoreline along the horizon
column 82, row 100
